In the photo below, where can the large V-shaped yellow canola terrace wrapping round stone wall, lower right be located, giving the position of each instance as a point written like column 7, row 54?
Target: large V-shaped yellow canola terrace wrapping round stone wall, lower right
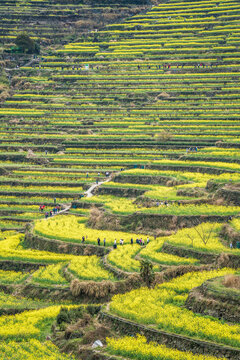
column 165, row 310
